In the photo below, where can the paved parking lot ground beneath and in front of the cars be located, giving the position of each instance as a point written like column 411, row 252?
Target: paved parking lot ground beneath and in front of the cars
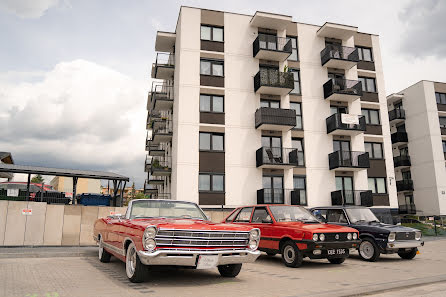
column 54, row 272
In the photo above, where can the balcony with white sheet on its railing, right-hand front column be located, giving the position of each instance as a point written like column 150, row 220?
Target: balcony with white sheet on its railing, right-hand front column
column 345, row 124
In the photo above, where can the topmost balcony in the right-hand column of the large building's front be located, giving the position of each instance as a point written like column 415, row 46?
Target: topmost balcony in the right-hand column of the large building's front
column 341, row 57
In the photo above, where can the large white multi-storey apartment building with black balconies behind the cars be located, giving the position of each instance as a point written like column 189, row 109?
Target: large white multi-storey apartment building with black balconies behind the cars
column 248, row 109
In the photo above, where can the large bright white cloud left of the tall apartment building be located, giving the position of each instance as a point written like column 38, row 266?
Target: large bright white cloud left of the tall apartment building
column 80, row 115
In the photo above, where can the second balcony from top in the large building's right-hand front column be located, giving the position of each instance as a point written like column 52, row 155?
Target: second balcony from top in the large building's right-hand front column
column 342, row 90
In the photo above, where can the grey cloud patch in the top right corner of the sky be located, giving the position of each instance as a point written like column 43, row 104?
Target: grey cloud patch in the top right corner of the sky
column 424, row 21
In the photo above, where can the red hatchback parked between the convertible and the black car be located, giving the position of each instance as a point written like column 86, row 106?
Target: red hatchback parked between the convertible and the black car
column 295, row 233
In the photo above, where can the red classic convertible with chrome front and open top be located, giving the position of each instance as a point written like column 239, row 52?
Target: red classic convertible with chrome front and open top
column 166, row 232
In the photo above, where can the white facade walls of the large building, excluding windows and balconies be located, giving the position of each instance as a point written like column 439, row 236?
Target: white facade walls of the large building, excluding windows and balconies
column 242, row 139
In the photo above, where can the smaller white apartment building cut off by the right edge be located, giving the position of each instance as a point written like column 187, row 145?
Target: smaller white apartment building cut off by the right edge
column 417, row 118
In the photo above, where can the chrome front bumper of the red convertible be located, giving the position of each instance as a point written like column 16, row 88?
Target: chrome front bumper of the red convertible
column 189, row 257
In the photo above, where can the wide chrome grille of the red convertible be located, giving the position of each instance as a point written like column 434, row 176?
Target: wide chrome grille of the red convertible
column 191, row 238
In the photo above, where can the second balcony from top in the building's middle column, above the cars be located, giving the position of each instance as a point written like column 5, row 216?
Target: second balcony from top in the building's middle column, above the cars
column 273, row 82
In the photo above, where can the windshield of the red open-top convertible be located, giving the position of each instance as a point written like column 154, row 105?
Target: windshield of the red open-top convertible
column 165, row 209
